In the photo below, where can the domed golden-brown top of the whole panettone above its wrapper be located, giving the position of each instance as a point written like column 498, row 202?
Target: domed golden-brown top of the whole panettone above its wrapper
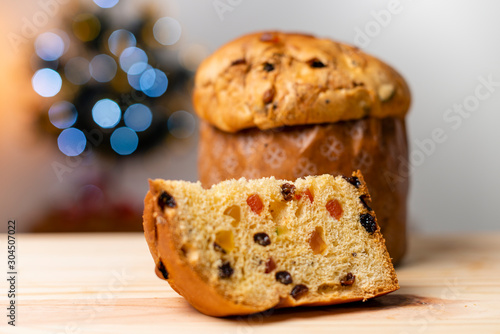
column 273, row 79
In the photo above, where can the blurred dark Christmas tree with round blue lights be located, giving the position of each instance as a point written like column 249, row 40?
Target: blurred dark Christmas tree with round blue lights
column 114, row 89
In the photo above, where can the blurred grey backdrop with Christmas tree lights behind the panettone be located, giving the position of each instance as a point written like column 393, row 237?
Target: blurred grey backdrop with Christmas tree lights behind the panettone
column 95, row 99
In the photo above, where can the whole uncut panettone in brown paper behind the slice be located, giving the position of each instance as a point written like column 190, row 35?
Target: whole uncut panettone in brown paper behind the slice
column 289, row 105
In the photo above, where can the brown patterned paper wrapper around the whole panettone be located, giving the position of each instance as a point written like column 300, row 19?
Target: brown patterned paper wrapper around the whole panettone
column 375, row 146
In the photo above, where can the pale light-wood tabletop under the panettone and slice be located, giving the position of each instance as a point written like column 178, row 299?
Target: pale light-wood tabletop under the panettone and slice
column 104, row 283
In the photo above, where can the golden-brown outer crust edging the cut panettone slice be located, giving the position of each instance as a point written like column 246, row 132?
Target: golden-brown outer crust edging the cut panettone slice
column 161, row 238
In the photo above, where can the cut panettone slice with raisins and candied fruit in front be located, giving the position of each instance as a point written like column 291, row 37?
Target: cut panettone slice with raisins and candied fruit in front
column 246, row 246
